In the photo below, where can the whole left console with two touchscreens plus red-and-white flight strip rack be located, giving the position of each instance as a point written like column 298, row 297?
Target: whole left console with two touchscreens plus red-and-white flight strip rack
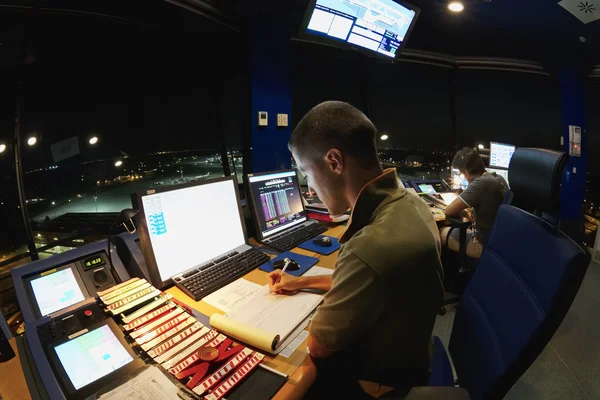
column 92, row 331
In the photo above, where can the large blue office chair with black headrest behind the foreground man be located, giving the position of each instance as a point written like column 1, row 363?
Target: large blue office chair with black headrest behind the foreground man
column 524, row 285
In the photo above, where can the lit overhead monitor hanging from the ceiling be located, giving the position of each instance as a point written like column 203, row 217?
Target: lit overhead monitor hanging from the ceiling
column 379, row 27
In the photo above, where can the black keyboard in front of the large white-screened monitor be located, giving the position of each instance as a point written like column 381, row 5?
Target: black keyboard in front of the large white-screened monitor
column 212, row 276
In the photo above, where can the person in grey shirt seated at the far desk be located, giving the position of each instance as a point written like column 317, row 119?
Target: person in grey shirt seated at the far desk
column 484, row 195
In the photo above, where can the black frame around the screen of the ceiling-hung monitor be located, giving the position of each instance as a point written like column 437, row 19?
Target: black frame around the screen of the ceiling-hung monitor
column 304, row 35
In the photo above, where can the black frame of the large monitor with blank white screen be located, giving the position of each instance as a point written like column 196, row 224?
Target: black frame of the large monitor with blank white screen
column 142, row 226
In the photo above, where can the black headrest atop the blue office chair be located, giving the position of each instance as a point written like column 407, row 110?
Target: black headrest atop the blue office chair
column 535, row 177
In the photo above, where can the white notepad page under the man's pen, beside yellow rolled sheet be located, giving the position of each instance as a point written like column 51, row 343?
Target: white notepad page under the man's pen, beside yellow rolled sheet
column 280, row 314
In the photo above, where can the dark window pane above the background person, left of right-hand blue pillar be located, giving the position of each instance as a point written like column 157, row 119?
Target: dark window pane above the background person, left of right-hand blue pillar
column 508, row 107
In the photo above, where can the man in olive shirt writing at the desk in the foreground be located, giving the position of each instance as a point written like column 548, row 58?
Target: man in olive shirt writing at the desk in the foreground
column 381, row 303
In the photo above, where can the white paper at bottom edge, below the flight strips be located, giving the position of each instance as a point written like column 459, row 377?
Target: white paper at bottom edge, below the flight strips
column 150, row 384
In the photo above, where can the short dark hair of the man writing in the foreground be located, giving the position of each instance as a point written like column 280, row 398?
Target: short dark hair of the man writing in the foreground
column 336, row 125
